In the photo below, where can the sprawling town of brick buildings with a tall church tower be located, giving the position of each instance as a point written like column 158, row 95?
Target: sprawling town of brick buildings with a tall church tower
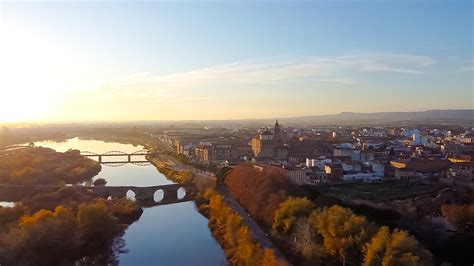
column 333, row 155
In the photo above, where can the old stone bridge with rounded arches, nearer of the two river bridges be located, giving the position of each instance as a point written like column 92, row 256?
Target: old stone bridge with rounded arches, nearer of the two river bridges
column 144, row 196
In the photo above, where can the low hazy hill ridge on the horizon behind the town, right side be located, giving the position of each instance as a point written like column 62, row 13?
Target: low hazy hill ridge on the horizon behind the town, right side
column 461, row 115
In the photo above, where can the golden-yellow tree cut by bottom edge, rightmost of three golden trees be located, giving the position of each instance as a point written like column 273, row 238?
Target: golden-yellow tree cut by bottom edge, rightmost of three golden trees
column 395, row 248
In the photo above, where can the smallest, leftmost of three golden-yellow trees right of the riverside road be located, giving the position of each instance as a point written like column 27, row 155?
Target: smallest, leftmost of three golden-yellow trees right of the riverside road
column 289, row 211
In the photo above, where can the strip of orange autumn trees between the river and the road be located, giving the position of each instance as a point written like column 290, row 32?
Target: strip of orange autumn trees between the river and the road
column 231, row 229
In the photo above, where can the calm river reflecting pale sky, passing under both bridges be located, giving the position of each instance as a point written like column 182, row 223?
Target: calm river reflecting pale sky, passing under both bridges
column 174, row 234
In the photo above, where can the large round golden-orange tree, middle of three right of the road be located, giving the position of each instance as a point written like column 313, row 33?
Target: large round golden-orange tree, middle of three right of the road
column 344, row 233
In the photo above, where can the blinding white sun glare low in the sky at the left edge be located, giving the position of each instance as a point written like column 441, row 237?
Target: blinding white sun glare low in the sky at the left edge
column 34, row 70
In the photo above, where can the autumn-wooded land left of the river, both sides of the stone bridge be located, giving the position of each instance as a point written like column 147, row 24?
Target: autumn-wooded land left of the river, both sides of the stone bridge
column 83, row 229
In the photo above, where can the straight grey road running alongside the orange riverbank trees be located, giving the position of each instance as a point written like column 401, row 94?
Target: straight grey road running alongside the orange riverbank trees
column 254, row 228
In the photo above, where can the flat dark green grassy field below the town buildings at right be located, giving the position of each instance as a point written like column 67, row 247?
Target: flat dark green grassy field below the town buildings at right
column 390, row 190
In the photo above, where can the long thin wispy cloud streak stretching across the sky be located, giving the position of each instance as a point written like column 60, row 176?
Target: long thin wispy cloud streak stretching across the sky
column 343, row 70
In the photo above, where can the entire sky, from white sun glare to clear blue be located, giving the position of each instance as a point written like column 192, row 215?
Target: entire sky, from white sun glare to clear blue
column 186, row 60
